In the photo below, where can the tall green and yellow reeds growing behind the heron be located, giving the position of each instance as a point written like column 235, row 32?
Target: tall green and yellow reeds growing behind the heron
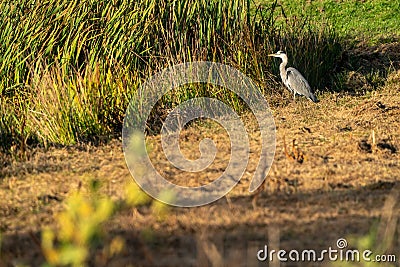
column 69, row 68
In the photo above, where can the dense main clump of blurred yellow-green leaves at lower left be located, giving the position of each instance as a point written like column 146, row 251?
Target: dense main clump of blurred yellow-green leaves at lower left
column 80, row 229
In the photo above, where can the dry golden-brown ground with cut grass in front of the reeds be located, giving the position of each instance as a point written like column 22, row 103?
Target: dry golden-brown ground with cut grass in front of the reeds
column 337, row 178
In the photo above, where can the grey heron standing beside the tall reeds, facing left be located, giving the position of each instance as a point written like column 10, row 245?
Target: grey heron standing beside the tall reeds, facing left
column 293, row 79
